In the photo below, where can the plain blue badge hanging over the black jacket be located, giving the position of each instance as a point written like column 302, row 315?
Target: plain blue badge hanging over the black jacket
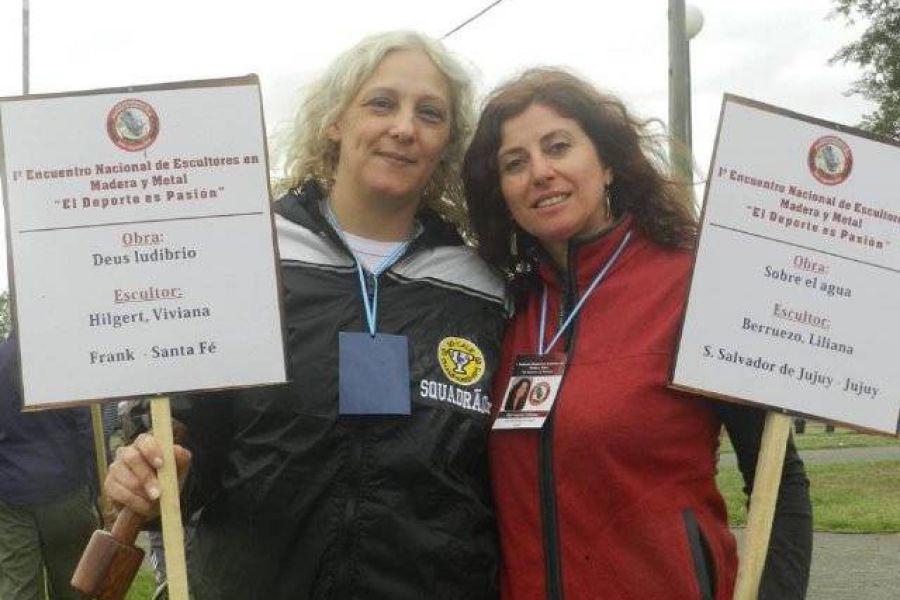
column 373, row 374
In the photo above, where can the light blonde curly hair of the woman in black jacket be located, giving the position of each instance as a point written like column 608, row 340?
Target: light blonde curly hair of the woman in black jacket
column 304, row 151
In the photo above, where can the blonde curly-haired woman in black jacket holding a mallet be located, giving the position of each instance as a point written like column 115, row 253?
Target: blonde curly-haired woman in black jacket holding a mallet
column 366, row 475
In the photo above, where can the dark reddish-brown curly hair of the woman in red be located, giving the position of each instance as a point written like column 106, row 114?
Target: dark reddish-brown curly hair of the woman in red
column 662, row 208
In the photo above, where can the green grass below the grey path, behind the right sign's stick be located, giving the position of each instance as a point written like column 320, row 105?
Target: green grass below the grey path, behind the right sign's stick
column 861, row 497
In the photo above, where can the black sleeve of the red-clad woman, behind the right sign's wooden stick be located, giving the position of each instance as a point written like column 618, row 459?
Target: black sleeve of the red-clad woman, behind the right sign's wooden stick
column 786, row 573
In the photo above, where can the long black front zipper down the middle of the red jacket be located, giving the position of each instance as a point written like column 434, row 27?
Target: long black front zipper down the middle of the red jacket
column 547, row 483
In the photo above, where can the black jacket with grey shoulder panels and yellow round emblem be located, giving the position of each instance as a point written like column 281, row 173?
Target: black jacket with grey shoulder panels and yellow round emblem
column 298, row 502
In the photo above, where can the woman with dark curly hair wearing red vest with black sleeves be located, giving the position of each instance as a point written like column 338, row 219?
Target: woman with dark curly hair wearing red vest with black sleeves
column 613, row 496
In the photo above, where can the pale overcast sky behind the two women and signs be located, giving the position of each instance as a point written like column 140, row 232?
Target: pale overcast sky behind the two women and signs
column 775, row 51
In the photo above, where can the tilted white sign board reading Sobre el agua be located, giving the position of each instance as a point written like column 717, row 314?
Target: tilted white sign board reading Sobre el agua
column 796, row 284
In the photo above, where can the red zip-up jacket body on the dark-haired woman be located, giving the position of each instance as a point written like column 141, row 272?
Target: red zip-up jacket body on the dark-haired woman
column 610, row 500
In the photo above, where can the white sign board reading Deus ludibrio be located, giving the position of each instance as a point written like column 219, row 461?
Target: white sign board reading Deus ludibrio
column 141, row 242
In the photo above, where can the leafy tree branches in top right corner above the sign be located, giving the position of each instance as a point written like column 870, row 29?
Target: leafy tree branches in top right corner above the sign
column 878, row 53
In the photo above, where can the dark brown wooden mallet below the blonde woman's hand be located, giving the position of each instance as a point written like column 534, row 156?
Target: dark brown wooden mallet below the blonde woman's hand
column 111, row 560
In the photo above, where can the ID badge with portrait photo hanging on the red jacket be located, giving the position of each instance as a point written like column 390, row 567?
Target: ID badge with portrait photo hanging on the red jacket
column 531, row 391
